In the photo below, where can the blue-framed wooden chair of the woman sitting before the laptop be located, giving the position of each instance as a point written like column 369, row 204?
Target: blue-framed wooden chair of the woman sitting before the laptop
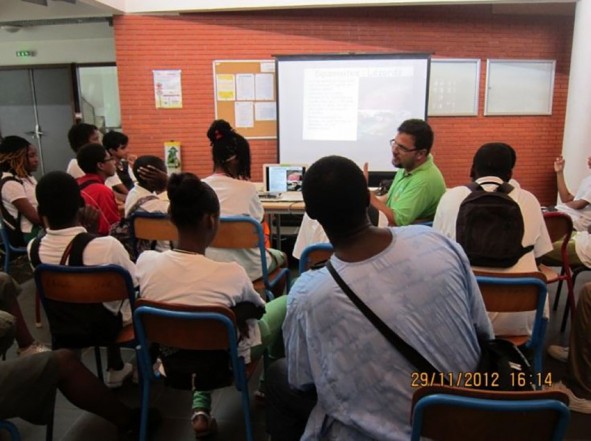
column 226, row 243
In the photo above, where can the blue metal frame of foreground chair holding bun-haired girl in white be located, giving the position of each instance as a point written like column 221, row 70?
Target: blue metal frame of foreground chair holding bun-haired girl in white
column 170, row 314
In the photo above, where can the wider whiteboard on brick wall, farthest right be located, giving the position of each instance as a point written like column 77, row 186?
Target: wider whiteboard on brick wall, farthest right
column 519, row 87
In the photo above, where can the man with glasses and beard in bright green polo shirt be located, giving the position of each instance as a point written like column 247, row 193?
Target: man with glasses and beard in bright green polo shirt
column 418, row 184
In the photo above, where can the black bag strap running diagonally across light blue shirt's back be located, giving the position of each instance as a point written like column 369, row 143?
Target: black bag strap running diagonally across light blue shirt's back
column 405, row 349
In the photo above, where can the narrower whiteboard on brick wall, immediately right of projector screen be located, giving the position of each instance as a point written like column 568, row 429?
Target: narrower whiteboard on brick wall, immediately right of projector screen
column 453, row 87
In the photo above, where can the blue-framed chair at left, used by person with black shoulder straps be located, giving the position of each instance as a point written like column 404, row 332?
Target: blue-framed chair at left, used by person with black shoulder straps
column 82, row 292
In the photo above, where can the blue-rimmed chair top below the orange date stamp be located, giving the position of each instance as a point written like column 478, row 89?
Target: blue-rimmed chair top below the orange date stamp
column 495, row 403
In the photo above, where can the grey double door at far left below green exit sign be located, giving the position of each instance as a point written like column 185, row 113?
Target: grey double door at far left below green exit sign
column 37, row 104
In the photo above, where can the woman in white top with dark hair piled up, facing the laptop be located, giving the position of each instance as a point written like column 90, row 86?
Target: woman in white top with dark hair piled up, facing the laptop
column 237, row 196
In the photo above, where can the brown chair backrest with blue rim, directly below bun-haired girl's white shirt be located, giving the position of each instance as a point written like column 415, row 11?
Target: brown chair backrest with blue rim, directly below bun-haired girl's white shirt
column 185, row 327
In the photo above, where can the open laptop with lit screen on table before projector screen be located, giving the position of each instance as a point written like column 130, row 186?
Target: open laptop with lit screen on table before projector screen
column 283, row 182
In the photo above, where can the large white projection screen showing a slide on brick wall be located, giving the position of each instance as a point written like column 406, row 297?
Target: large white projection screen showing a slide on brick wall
column 347, row 105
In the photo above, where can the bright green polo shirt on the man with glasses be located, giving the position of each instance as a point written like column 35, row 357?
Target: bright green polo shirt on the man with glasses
column 415, row 195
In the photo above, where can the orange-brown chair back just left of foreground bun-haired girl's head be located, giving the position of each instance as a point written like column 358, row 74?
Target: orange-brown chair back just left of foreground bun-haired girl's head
column 152, row 227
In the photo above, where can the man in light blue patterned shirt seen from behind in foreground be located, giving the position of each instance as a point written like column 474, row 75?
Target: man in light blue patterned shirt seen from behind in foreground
column 362, row 383
